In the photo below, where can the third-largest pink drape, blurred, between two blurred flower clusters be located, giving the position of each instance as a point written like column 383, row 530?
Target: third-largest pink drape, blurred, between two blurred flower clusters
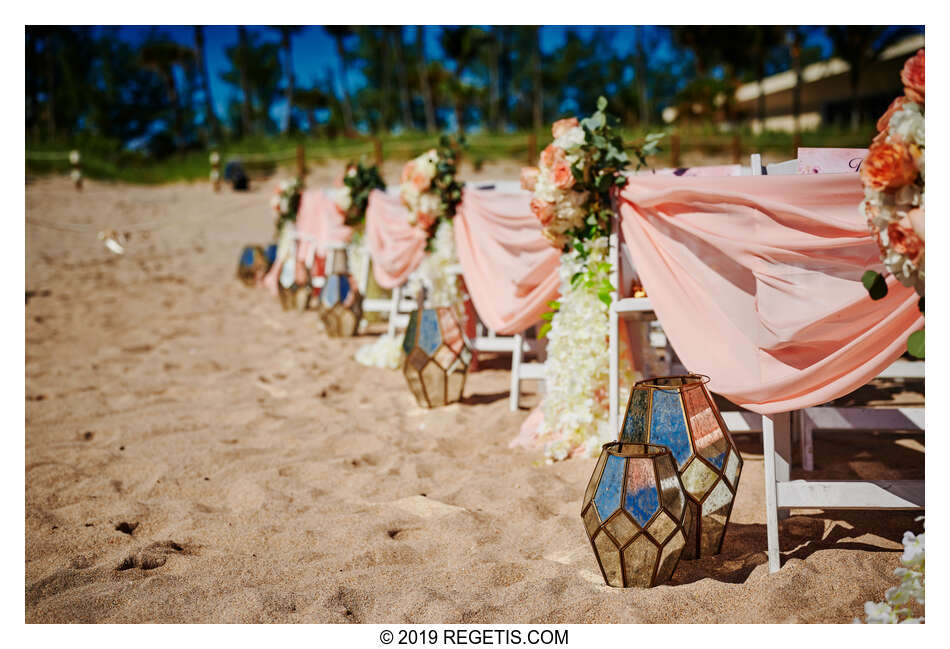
column 395, row 247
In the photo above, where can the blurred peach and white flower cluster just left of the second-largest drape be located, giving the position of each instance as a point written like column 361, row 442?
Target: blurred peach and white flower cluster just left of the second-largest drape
column 429, row 188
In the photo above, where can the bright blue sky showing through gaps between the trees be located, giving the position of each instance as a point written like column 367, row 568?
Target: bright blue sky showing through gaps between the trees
column 314, row 51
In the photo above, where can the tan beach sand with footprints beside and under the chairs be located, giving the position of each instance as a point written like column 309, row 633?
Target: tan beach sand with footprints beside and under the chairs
column 195, row 454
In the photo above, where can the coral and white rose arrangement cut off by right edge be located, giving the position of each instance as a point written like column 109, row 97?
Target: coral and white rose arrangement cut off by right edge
column 893, row 177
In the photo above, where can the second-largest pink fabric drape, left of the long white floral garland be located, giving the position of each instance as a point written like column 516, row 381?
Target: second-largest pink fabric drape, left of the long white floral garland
column 510, row 270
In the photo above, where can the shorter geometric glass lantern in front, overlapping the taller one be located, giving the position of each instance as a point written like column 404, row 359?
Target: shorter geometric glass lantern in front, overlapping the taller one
column 636, row 514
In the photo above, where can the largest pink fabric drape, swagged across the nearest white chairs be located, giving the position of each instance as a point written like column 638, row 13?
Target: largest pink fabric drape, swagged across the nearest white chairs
column 756, row 281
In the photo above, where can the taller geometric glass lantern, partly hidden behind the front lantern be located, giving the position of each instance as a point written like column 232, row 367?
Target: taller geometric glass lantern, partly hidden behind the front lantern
column 679, row 412
